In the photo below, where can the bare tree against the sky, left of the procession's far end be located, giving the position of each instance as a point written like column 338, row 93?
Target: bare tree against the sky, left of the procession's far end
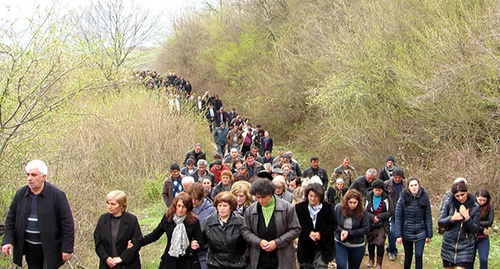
column 111, row 30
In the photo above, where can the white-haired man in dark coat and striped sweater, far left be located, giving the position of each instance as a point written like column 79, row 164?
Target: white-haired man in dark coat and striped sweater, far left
column 39, row 224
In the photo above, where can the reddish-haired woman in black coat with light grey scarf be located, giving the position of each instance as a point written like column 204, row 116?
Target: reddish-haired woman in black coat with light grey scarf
column 183, row 232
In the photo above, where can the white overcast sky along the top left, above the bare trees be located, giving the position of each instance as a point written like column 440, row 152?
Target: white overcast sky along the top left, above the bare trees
column 11, row 10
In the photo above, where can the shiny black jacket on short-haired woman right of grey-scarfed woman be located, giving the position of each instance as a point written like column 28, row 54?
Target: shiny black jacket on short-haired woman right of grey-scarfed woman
column 227, row 249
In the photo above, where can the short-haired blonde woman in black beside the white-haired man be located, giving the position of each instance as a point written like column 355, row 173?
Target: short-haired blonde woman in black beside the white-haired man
column 112, row 233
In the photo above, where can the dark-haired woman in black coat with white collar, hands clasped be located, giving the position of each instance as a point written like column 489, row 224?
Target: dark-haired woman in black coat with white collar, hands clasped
column 316, row 247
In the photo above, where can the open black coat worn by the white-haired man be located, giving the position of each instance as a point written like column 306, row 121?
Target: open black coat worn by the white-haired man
column 55, row 220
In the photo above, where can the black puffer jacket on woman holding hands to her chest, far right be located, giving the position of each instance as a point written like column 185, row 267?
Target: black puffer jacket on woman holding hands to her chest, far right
column 459, row 238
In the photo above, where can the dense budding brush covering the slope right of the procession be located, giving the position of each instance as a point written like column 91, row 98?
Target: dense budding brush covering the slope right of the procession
column 413, row 79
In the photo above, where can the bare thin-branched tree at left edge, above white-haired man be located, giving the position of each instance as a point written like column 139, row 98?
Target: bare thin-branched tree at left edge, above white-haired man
column 39, row 67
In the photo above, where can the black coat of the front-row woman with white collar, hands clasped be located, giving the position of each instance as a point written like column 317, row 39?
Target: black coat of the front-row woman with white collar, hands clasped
column 325, row 225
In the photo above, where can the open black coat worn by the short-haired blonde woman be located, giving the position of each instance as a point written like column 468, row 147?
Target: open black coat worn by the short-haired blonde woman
column 129, row 229
